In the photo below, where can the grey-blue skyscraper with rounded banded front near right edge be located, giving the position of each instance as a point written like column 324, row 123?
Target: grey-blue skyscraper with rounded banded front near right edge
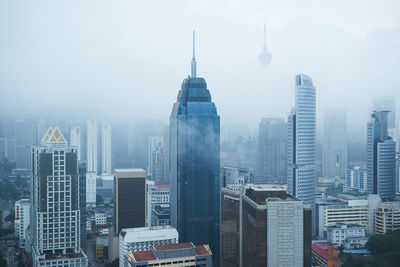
column 381, row 153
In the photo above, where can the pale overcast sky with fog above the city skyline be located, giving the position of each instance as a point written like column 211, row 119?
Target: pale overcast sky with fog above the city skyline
column 128, row 58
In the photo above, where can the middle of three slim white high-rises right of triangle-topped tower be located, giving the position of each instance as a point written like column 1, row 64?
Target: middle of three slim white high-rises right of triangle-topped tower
column 92, row 145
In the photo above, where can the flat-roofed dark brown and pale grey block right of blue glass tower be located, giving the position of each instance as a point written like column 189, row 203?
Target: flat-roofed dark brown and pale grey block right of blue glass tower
column 262, row 225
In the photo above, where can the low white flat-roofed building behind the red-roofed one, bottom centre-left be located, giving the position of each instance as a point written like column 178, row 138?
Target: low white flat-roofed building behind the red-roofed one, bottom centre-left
column 143, row 238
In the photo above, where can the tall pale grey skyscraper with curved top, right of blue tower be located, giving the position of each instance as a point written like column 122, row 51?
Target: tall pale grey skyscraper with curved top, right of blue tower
column 301, row 143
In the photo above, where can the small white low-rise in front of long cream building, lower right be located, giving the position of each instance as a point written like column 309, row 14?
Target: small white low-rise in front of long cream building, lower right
column 348, row 235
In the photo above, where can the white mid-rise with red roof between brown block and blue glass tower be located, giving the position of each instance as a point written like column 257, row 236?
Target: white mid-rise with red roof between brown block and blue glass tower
column 156, row 195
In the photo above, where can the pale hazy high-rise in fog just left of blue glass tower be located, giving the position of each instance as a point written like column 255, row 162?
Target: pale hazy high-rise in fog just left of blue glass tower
column 156, row 159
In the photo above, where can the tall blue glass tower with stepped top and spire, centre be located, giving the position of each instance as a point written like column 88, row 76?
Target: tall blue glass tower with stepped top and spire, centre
column 194, row 164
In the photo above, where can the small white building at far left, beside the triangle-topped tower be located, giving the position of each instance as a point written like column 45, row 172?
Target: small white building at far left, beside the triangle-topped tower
column 22, row 219
